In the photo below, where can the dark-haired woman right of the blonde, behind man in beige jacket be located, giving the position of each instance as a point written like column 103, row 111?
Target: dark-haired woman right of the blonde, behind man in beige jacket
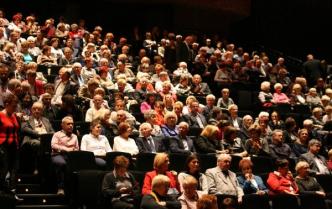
column 232, row 143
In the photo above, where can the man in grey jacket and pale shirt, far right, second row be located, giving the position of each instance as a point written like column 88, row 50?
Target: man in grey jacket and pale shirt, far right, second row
column 316, row 162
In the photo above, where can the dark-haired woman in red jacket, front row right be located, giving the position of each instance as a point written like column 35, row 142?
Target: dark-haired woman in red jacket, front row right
column 281, row 181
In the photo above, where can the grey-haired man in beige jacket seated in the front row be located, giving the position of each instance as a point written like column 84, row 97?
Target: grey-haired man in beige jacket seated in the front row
column 223, row 181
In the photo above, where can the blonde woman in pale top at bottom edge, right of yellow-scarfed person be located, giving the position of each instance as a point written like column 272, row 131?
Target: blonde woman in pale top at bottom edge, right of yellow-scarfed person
column 190, row 195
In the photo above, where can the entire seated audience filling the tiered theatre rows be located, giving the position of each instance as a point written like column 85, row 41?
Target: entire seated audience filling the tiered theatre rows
column 149, row 94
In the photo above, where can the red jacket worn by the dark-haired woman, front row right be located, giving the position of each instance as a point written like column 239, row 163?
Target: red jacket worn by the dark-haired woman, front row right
column 279, row 184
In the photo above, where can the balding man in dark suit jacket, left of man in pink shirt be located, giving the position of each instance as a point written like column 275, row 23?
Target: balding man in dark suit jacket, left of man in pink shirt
column 35, row 126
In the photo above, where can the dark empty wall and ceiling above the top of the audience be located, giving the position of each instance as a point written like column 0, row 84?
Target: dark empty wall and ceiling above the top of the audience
column 296, row 27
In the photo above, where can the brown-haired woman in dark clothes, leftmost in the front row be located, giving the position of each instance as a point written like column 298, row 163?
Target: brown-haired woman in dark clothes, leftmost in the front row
column 119, row 186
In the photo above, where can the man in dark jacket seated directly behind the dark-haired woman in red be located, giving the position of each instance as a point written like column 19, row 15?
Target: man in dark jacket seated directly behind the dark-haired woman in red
column 279, row 149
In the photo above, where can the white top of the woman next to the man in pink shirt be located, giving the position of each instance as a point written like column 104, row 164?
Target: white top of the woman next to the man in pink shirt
column 99, row 146
